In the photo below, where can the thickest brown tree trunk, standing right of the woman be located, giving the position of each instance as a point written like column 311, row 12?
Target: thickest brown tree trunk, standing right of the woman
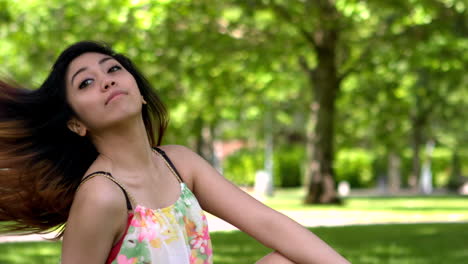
column 325, row 83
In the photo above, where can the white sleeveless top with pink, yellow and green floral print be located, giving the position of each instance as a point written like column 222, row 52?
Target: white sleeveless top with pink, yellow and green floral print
column 175, row 234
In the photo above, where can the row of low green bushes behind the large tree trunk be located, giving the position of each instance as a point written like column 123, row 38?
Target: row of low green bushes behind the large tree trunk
column 359, row 167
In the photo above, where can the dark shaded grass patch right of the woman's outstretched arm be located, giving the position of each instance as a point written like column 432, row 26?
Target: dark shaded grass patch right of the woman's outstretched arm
column 400, row 243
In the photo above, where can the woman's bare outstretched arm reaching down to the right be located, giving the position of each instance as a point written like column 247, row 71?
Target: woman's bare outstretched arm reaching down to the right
column 273, row 229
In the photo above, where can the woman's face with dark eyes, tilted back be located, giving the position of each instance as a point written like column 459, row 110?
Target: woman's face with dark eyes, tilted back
column 101, row 91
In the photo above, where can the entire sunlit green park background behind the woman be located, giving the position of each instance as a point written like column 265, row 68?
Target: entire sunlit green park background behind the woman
column 339, row 113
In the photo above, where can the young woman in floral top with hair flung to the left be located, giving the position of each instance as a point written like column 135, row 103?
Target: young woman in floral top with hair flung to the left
column 82, row 153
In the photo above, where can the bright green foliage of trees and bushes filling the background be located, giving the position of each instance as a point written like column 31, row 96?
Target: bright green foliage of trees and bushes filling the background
column 219, row 63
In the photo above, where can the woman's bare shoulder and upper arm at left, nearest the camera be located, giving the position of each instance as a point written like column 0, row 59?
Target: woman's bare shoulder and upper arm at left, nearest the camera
column 97, row 217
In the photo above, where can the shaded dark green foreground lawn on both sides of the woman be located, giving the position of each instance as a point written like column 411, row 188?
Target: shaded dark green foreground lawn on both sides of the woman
column 366, row 244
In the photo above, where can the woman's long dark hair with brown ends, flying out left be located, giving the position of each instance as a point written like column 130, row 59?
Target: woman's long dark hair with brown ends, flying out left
column 41, row 160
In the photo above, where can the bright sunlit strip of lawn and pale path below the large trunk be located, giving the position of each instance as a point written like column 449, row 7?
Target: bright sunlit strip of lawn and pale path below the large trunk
column 371, row 210
